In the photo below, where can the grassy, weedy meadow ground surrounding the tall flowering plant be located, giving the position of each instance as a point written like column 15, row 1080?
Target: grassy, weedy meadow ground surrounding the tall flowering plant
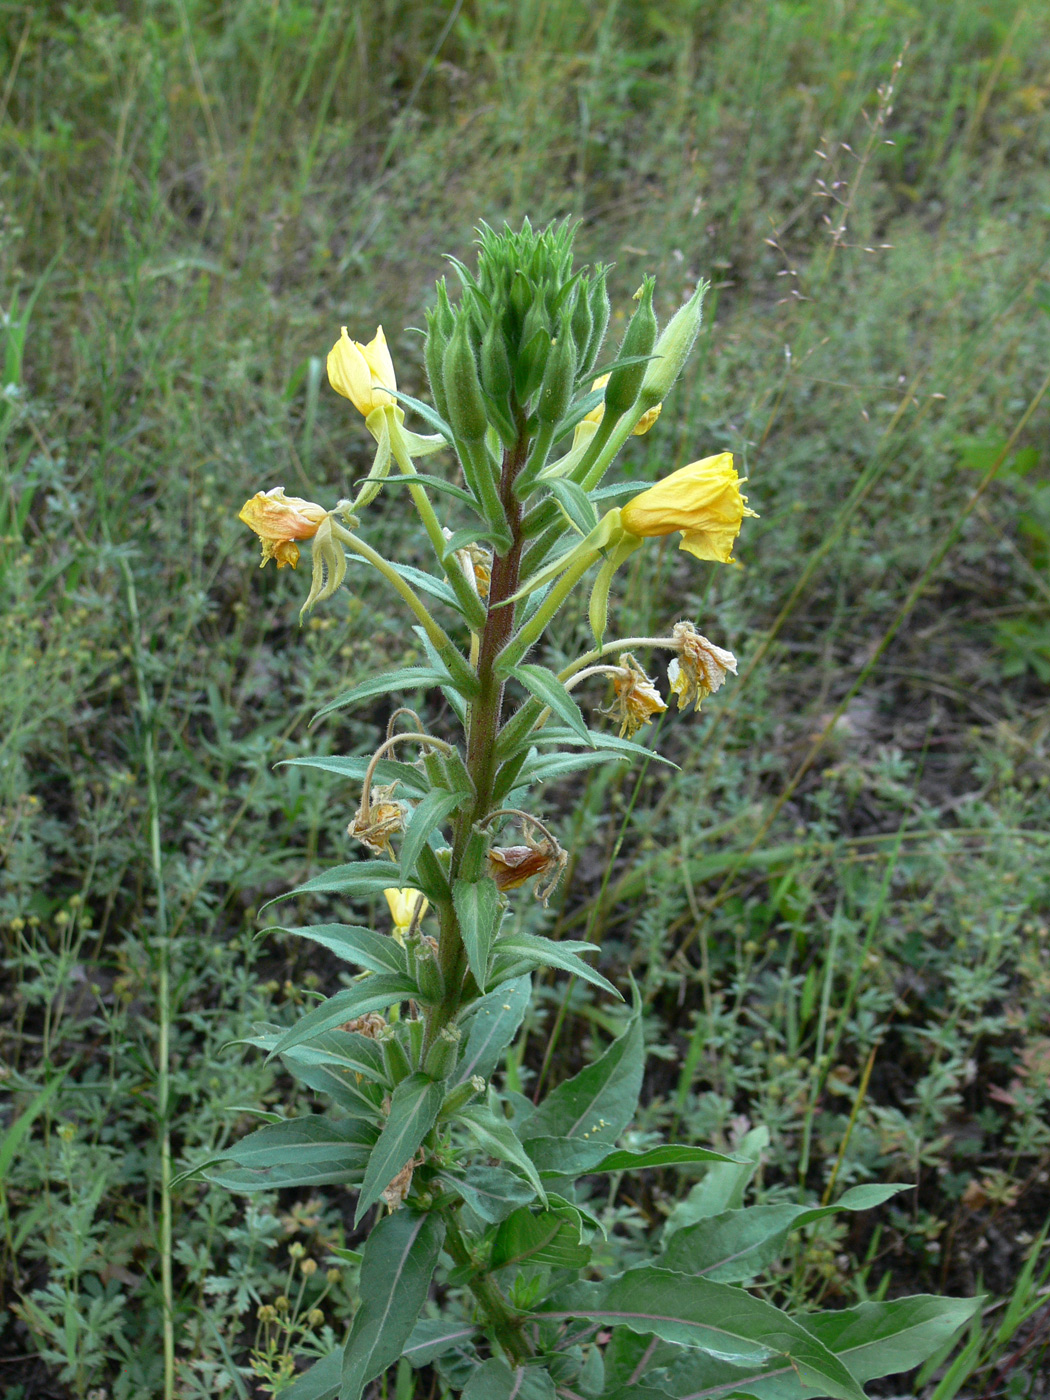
column 836, row 908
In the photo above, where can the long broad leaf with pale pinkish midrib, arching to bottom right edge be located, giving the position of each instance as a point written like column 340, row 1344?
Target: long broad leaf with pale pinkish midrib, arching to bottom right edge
column 715, row 1318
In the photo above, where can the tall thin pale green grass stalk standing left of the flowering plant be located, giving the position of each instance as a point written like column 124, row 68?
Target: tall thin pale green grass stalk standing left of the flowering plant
column 163, row 988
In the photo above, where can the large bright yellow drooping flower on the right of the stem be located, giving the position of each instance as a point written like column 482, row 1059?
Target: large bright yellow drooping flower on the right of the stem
column 703, row 500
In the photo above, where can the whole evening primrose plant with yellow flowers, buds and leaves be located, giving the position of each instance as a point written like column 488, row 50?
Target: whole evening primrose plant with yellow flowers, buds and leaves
column 479, row 1256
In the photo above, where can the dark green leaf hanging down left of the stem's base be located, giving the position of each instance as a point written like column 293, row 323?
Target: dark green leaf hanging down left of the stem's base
column 400, row 1259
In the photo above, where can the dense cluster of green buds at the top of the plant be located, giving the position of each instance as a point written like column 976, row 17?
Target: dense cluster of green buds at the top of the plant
column 524, row 334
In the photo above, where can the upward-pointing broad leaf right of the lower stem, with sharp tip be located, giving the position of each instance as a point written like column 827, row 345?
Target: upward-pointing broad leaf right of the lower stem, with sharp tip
column 598, row 1104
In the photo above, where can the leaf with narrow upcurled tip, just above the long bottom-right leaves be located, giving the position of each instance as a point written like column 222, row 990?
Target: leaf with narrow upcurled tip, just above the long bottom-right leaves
column 737, row 1245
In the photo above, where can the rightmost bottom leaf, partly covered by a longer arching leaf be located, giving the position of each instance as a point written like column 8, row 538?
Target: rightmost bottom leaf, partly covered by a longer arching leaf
column 873, row 1340
